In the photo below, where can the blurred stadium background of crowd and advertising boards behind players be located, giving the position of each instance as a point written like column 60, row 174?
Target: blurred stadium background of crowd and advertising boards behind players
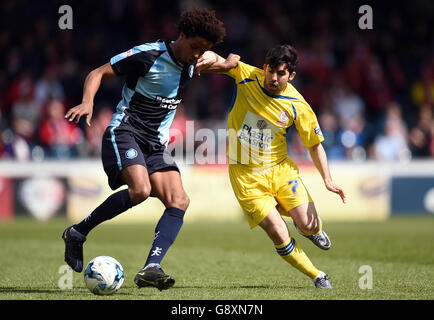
column 372, row 90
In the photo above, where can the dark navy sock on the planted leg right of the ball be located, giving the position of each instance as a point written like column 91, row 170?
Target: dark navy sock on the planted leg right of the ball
column 165, row 234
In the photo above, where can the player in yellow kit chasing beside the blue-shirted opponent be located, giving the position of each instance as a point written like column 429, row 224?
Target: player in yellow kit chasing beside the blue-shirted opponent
column 264, row 179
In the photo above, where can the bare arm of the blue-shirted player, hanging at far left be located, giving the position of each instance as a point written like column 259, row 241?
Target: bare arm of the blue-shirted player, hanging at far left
column 91, row 86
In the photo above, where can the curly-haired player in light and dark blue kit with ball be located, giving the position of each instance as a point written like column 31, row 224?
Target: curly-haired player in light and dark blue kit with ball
column 134, row 144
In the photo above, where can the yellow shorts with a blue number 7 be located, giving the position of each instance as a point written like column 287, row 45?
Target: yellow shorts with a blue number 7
column 260, row 190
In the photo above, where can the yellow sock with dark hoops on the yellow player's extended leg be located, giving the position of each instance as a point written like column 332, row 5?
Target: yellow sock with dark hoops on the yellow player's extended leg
column 294, row 255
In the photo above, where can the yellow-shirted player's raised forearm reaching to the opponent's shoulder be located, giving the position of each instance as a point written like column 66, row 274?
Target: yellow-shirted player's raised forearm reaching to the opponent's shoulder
column 212, row 62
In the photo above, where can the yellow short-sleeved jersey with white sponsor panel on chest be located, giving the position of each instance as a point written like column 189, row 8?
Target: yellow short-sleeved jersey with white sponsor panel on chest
column 258, row 120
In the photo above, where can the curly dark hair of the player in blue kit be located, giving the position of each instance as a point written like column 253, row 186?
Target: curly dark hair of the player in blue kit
column 201, row 23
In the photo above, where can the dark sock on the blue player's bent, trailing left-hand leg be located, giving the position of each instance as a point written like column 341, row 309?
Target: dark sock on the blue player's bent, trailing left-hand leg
column 110, row 208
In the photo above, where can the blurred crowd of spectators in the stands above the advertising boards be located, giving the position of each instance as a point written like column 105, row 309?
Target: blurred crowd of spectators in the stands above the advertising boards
column 372, row 90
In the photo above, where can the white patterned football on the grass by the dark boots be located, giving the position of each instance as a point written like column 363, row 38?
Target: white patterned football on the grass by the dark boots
column 103, row 275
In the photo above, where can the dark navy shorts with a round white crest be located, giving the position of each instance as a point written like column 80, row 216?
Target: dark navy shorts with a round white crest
column 121, row 149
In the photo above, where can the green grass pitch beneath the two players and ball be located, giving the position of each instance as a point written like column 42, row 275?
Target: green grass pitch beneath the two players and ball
column 213, row 261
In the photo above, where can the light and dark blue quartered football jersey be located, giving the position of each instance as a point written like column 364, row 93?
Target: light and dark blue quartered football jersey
column 153, row 90
